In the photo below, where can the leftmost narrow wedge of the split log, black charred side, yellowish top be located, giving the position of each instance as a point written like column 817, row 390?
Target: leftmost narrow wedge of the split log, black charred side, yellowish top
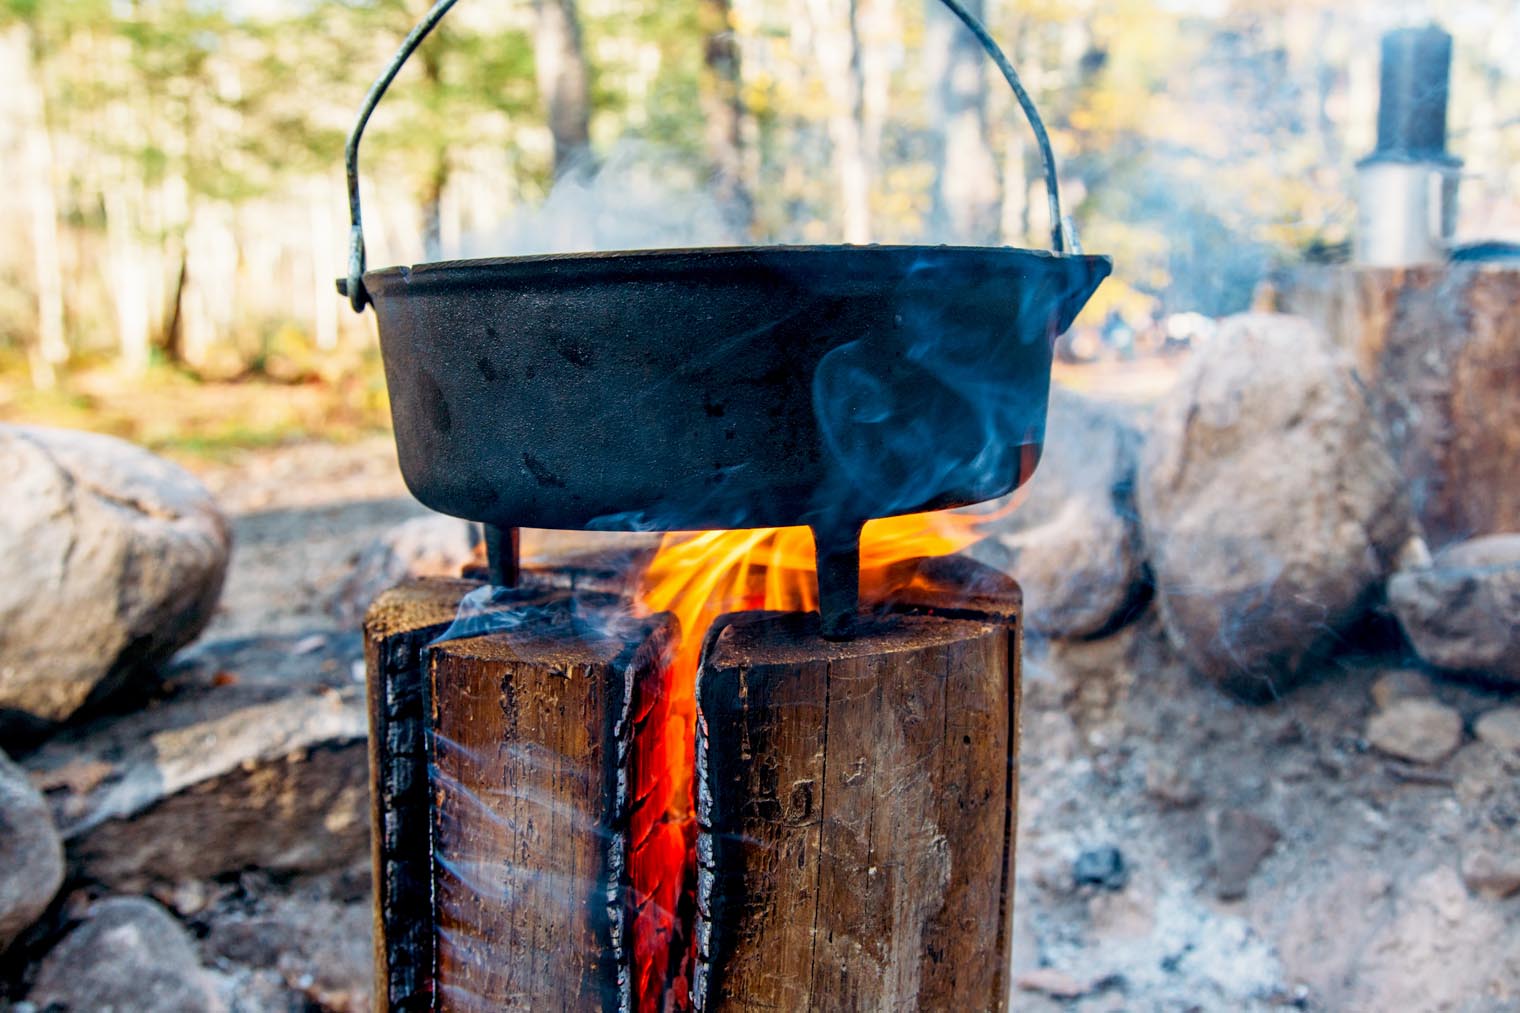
column 397, row 629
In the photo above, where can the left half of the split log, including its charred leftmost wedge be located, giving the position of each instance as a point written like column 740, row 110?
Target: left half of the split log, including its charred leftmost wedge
column 505, row 799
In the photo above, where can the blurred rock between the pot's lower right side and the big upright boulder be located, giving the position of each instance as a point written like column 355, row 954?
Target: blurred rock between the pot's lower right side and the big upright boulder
column 1074, row 541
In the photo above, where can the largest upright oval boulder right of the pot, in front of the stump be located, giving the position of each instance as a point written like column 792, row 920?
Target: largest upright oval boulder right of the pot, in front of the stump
column 1270, row 504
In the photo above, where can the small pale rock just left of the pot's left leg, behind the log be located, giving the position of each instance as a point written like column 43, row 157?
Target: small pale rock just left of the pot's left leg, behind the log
column 425, row 547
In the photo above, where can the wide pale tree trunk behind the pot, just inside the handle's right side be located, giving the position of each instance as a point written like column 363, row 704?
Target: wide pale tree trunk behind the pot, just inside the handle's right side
column 969, row 194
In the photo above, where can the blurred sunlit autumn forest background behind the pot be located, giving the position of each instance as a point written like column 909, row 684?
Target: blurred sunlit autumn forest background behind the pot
column 177, row 217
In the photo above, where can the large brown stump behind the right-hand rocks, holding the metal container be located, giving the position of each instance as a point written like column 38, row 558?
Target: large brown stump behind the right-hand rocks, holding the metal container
column 1440, row 352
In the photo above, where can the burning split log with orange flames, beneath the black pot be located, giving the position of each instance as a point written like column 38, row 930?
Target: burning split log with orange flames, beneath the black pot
column 629, row 801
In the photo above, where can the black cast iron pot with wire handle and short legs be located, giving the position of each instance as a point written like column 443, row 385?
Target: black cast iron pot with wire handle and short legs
column 721, row 389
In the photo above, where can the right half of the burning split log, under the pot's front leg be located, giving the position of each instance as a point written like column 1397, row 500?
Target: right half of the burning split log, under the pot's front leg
column 857, row 807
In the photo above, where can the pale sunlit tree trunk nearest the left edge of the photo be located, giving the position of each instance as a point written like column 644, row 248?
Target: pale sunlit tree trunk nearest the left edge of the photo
column 37, row 168
